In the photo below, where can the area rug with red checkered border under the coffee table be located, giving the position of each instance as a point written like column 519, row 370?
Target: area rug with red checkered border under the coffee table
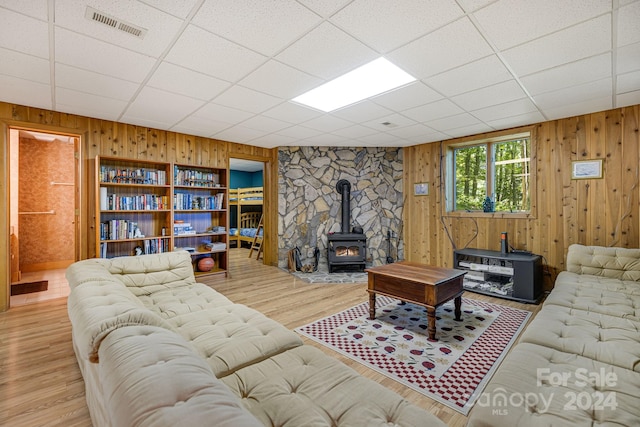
column 453, row 369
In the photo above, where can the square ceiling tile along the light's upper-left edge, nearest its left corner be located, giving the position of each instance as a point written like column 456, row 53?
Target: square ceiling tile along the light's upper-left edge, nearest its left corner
column 277, row 79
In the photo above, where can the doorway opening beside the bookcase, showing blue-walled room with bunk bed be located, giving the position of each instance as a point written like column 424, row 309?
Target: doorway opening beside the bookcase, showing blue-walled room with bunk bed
column 246, row 205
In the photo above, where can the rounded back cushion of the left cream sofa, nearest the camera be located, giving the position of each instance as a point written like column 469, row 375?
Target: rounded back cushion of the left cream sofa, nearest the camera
column 150, row 377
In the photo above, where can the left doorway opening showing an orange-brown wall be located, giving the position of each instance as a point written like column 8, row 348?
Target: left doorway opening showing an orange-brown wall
column 43, row 213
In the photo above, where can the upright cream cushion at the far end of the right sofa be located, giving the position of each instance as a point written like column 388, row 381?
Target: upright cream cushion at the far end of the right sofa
column 615, row 263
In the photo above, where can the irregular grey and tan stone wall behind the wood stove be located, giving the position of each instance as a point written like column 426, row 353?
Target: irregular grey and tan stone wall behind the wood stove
column 309, row 206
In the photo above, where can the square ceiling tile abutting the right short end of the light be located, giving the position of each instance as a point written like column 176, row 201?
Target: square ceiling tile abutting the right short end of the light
column 449, row 47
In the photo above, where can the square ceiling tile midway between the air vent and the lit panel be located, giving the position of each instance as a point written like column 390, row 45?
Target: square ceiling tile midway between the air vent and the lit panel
column 210, row 54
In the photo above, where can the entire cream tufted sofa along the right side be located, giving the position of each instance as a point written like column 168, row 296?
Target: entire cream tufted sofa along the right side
column 578, row 361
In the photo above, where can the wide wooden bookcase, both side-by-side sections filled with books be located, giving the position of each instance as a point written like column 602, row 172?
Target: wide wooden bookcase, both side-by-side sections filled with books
column 146, row 207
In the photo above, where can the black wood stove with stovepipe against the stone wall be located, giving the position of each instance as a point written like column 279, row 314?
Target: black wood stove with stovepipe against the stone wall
column 346, row 250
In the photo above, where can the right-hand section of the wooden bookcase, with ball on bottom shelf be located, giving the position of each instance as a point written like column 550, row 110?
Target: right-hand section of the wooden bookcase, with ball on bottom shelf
column 200, row 216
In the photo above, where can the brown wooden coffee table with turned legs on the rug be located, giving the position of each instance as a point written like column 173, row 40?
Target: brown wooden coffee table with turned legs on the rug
column 420, row 284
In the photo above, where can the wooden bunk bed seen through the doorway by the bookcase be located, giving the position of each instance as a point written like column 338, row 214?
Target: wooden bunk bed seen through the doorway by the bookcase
column 247, row 221
